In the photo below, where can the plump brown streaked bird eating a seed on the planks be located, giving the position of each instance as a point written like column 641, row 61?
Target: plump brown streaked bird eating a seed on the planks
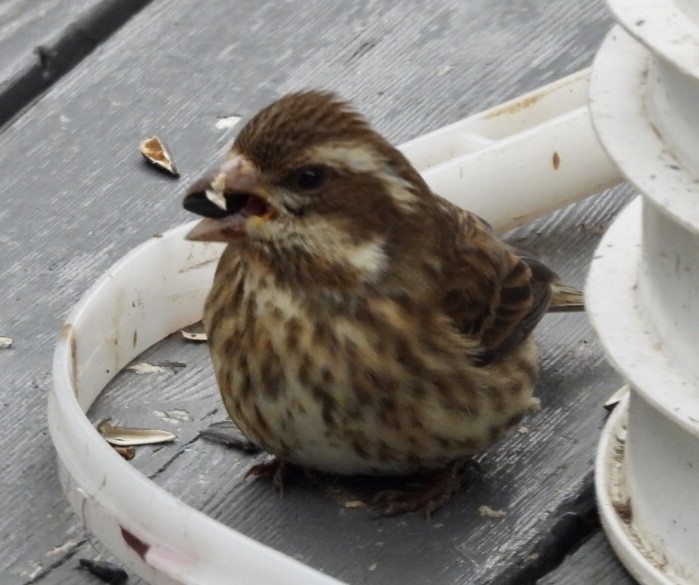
column 359, row 323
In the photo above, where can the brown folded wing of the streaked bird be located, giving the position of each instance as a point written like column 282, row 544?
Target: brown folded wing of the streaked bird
column 492, row 294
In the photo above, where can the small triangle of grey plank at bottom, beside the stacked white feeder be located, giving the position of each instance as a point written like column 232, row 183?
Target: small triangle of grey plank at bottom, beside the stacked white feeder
column 593, row 562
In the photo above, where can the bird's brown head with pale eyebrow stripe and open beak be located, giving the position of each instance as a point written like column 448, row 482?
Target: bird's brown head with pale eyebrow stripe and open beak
column 309, row 174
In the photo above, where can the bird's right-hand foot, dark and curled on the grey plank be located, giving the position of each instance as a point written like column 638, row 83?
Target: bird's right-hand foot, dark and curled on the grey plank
column 431, row 497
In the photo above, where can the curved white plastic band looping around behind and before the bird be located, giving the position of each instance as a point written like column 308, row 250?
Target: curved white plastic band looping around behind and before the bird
column 544, row 140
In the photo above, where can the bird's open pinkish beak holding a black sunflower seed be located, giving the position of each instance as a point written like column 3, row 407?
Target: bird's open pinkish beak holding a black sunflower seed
column 231, row 203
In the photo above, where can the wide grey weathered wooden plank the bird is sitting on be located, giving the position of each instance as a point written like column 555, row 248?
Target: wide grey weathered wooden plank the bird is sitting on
column 76, row 196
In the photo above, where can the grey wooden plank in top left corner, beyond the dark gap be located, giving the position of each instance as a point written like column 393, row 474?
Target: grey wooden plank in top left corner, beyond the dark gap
column 42, row 39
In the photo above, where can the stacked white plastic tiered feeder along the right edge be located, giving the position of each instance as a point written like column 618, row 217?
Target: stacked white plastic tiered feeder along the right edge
column 643, row 288
